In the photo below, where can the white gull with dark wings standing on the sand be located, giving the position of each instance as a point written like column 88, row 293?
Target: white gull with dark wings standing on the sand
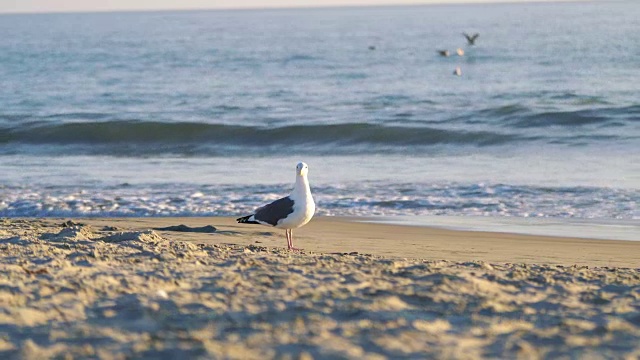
column 290, row 212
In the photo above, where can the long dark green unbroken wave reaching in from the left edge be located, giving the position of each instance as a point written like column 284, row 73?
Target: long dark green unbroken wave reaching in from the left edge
column 137, row 132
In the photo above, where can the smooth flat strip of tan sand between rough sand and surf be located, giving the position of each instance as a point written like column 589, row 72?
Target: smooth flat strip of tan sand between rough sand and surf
column 327, row 234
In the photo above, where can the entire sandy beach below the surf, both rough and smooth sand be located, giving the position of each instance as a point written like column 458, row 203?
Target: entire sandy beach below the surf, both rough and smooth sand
column 113, row 288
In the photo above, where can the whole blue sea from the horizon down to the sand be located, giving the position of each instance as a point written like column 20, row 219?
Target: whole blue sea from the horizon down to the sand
column 207, row 112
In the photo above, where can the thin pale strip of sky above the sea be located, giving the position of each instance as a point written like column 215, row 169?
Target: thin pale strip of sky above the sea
column 29, row 6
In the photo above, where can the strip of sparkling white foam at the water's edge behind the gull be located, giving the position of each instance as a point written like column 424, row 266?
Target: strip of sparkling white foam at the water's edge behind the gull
column 367, row 199
